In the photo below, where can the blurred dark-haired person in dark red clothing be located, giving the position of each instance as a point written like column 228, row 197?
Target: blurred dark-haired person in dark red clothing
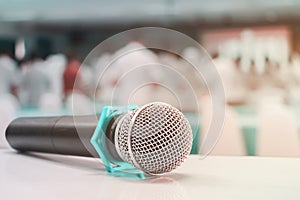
column 70, row 73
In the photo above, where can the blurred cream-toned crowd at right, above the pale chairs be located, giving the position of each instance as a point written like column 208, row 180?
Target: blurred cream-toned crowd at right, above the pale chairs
column 255, row 85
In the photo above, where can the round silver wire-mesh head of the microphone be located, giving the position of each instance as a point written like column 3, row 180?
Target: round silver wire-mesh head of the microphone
column 155, row 138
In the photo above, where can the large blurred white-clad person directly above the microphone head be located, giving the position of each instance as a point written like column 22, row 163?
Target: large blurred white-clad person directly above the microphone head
column 134, row 66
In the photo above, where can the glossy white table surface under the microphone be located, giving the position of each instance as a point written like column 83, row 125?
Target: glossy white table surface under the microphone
column 44, row 176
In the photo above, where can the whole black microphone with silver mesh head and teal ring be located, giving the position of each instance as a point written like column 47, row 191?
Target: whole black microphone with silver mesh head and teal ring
column 155, row 138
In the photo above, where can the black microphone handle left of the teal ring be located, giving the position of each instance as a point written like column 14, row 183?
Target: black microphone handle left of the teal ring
column 57, row 135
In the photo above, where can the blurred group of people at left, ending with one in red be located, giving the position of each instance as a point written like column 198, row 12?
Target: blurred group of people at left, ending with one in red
column 34, row 79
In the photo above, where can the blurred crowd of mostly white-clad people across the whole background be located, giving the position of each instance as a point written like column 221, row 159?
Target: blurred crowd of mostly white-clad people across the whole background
column 145, row 75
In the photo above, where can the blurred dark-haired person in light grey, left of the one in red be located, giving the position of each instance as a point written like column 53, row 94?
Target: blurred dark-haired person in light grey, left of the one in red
column 34, row 82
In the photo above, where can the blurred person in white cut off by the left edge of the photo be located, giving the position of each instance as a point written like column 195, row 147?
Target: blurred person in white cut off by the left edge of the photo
column 7, row 73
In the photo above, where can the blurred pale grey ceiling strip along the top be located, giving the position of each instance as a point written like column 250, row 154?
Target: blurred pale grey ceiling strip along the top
column 115, row 12
